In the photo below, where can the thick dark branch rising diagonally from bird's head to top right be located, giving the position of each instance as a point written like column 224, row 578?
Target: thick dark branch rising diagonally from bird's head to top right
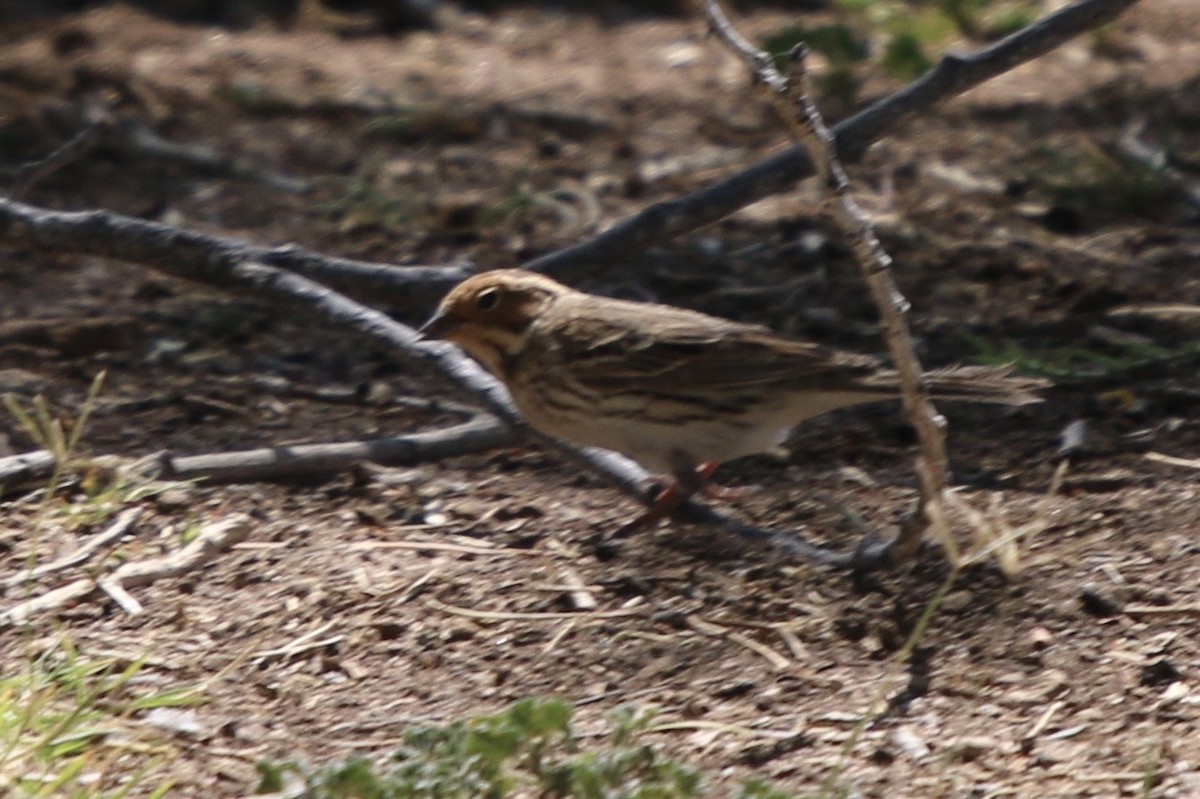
column 953, row 76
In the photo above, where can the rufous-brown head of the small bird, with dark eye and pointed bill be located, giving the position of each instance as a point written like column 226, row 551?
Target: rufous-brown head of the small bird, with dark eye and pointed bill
column 490, row 315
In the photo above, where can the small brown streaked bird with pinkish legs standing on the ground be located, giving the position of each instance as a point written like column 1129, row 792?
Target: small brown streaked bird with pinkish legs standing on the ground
column 676, row 391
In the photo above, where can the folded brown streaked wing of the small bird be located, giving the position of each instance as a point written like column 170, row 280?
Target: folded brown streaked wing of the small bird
column 683, row 351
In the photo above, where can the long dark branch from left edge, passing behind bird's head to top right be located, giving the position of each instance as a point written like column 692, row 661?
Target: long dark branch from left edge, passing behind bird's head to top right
column 189, row 254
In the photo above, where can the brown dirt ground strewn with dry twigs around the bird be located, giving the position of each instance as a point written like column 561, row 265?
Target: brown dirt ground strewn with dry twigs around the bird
column 365, row 604
